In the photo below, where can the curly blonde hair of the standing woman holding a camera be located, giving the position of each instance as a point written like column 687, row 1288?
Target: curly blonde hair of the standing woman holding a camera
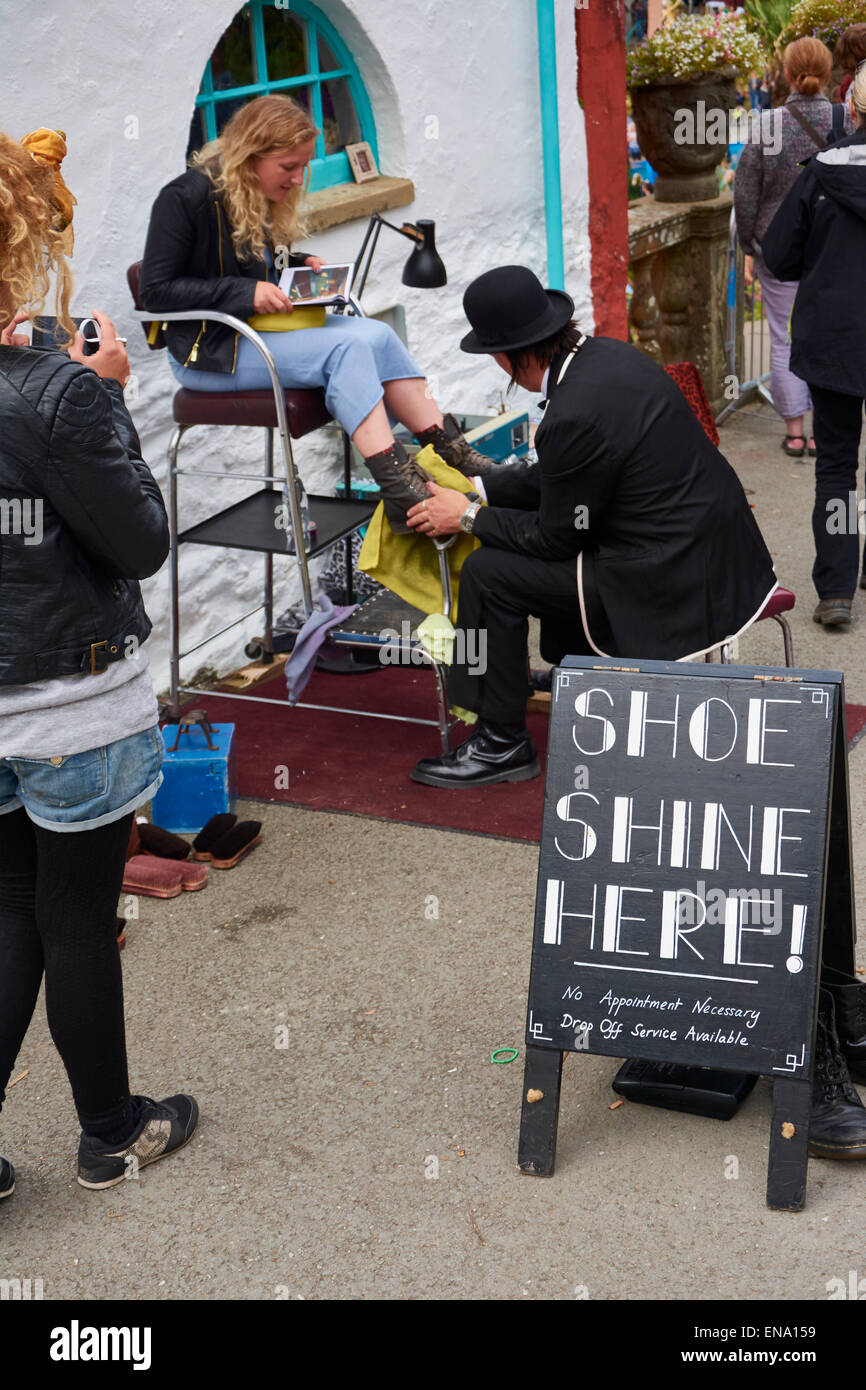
column 31, row 240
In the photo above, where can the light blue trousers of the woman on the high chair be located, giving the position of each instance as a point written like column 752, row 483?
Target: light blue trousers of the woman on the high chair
column 351, row 358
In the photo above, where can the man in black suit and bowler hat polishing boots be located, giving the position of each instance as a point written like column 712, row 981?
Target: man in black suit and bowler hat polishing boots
column 629, row 537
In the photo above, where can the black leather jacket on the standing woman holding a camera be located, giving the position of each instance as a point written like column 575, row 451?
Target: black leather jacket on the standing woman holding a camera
column 81, row 521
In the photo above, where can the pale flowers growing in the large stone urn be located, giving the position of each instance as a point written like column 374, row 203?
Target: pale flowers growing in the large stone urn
column 692, row 47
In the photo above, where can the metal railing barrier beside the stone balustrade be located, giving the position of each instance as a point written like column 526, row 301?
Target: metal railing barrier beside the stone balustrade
column 747, row 338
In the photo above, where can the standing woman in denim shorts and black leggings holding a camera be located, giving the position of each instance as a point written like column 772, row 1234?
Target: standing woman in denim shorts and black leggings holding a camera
column 81, row 523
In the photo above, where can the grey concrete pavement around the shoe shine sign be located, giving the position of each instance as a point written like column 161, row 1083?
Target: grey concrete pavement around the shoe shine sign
column 375, row 1156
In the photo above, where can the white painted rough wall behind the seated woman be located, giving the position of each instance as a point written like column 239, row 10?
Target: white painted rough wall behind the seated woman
column 90, row 66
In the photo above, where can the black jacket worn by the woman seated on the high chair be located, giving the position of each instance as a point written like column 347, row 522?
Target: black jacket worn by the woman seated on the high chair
column 191, row 263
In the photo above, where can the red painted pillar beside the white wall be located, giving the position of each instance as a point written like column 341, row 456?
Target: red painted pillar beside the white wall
column 601, row 91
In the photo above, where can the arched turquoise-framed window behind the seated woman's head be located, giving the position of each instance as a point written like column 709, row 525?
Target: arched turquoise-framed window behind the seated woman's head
column 269, row 48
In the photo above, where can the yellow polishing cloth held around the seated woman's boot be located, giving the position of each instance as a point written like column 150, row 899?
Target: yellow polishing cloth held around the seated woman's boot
column 409, row 565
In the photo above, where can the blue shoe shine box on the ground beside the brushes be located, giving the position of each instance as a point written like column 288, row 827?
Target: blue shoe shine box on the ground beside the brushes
column 198, row 782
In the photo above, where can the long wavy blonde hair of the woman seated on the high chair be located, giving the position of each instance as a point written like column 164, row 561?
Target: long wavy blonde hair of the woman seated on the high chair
column 262, row 127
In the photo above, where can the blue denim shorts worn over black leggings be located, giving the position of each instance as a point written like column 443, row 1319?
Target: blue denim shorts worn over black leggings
column 85, row 790
